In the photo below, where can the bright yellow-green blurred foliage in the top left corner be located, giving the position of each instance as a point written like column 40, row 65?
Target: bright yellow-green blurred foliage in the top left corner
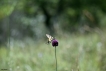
column 6, row 8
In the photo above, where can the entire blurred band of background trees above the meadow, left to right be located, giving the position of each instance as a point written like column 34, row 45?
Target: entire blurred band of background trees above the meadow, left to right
column 70, row 15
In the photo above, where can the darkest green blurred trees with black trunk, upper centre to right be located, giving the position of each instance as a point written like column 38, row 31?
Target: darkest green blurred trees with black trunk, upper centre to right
column 73, row 13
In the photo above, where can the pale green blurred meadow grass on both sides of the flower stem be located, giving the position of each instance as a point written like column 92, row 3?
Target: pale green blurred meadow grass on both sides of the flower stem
column 75, row 52
